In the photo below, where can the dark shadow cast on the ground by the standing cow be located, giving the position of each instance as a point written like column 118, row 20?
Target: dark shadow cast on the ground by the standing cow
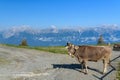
column 77, row 67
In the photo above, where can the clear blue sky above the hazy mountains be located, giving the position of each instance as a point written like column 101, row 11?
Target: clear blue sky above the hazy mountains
column 61, row 13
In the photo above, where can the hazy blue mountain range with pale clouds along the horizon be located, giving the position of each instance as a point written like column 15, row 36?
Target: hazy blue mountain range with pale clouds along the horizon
column 58, row 37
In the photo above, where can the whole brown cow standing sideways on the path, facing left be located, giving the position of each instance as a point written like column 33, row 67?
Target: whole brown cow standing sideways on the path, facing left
column 90, row 53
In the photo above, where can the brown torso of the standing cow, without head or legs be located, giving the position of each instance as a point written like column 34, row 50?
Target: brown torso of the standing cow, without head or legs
column 93, row 53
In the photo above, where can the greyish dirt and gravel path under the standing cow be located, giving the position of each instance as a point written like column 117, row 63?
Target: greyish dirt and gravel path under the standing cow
column 26, row 64
